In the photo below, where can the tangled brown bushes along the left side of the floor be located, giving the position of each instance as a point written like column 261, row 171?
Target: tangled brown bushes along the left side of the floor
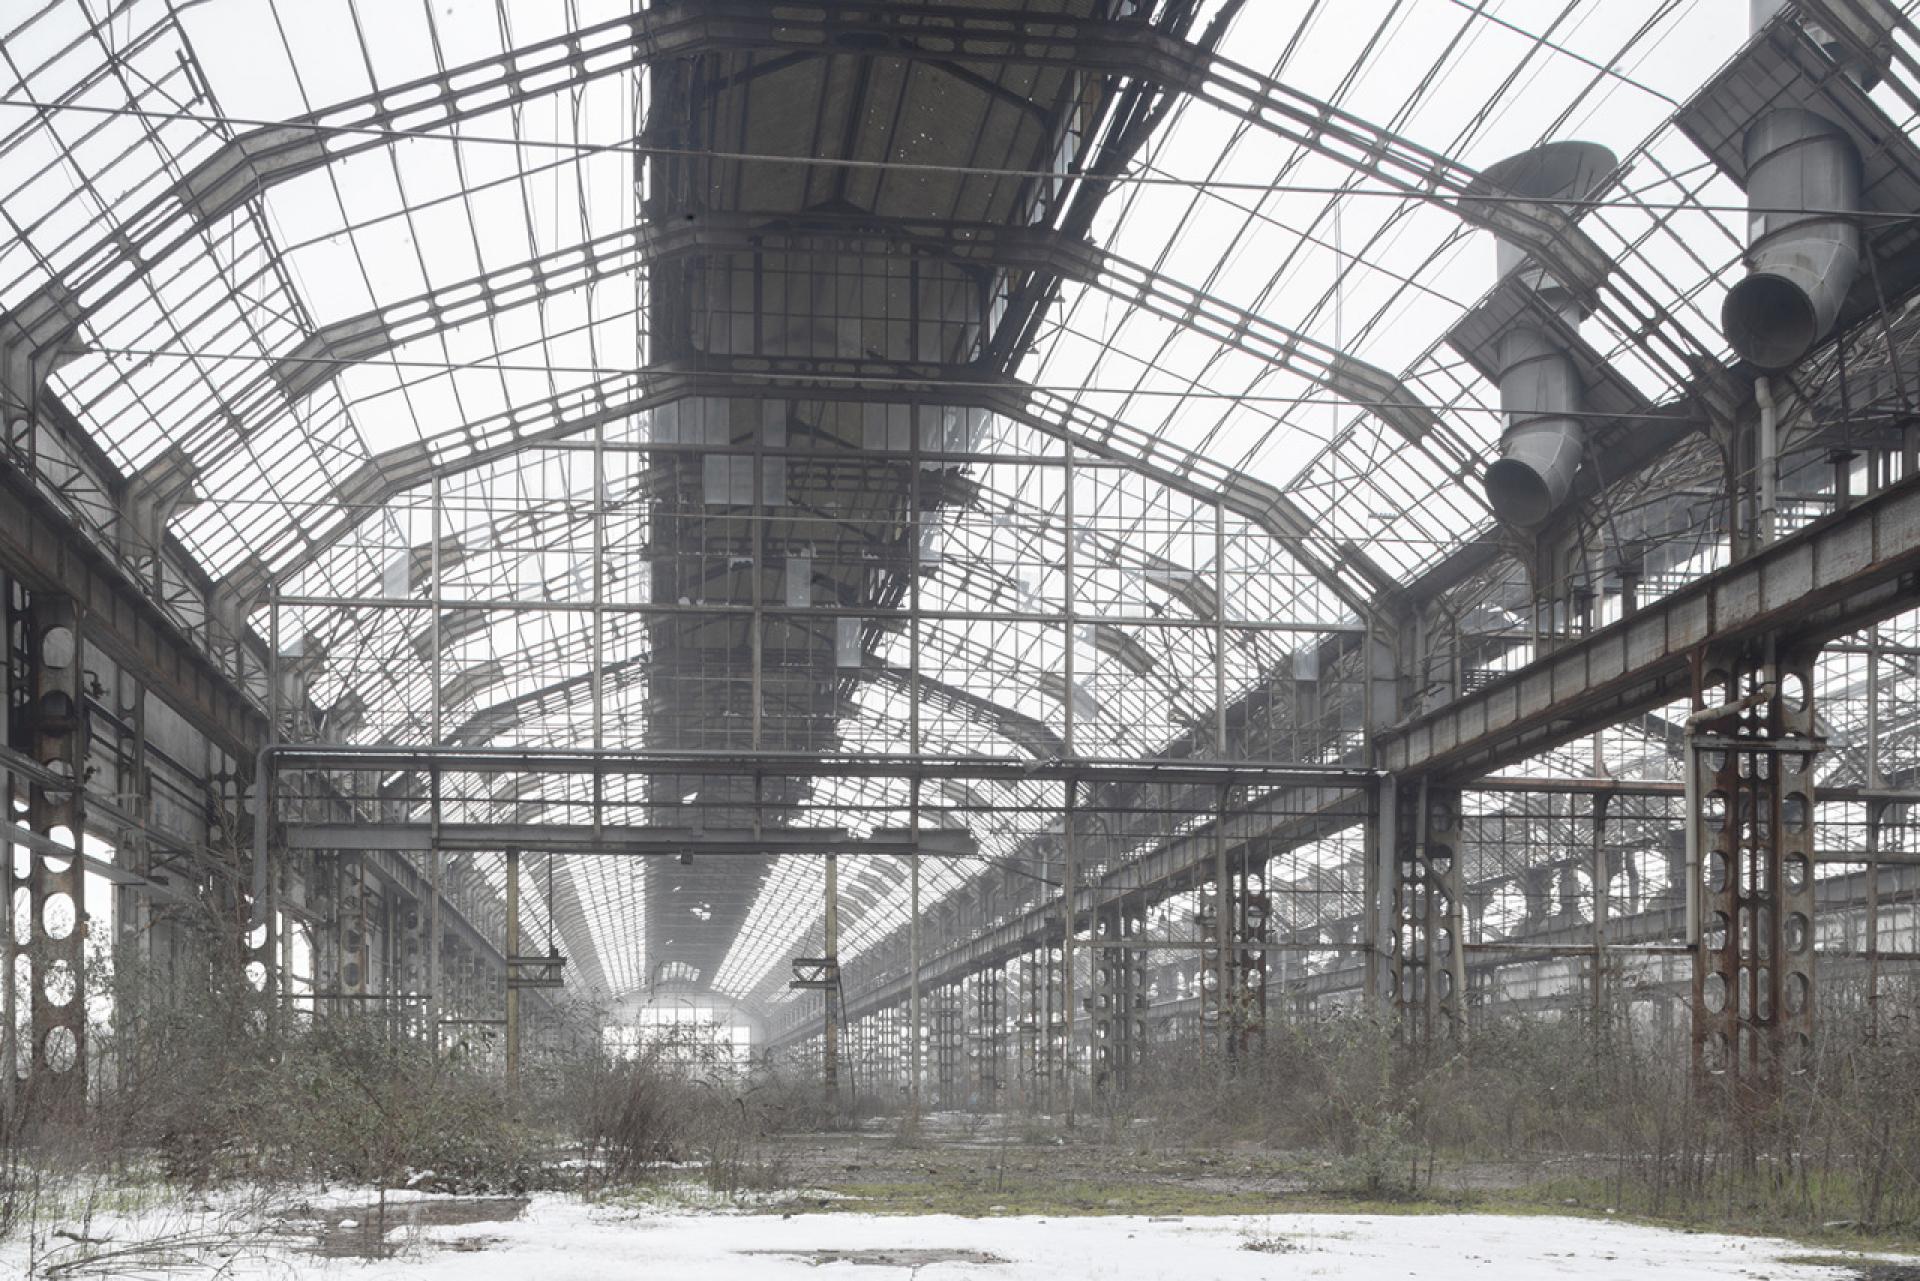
column 201, row 1086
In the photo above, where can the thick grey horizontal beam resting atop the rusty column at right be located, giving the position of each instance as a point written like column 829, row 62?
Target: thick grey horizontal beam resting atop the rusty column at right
column 1838, row 575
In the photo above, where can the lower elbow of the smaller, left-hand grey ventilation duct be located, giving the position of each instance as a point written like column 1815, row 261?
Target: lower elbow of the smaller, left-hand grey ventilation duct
column 1545, row 441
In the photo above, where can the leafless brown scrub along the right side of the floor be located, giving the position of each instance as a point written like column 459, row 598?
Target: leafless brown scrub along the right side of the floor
column 1568, row 1111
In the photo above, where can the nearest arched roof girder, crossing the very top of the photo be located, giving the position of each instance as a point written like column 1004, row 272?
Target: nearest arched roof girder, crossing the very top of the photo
column 272, row 155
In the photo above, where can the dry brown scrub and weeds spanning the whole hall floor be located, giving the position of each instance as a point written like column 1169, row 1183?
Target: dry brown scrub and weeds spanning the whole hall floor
column 203, row 1086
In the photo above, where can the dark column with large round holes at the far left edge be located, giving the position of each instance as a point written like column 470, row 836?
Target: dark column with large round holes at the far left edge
column 49, row 965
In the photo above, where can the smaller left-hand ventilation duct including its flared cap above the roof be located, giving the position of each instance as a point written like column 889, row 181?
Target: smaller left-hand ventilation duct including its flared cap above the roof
column 1539, row 383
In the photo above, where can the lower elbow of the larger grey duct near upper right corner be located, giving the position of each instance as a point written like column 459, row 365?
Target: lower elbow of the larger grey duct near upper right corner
column 1802, row 258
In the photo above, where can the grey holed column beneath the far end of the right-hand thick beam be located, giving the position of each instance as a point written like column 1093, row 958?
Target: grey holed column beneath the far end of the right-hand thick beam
column 1429, row 965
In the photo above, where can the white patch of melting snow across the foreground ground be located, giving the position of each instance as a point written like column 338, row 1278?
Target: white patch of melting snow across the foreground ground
column 564, row 1240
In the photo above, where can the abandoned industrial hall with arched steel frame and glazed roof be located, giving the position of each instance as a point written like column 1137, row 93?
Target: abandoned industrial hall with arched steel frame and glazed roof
column 982, row 564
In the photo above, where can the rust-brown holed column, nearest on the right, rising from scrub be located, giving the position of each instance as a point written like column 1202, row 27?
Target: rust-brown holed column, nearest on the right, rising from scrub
column 1754, row 833
